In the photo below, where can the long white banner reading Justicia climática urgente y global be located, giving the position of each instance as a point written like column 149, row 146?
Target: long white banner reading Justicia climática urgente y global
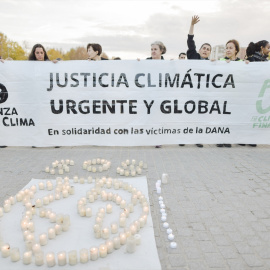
column 131, row 103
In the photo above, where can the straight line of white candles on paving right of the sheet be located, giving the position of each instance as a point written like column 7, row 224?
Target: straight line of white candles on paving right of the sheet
column 163, row 213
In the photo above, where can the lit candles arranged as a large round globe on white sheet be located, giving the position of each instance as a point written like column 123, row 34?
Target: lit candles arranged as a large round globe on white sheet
column 129, row 236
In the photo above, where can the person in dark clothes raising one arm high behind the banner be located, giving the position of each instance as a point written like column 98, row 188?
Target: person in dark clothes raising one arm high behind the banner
column 192, row 54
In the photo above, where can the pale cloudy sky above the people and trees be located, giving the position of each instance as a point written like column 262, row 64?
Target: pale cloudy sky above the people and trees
column 127, row 28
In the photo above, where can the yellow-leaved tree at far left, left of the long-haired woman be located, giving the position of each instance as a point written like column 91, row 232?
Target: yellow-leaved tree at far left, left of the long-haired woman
column 11, row 49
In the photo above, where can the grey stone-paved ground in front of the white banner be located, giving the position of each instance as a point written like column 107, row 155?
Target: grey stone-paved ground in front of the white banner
column 217, row 199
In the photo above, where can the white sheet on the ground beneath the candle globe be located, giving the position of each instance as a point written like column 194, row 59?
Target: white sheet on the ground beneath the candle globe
column 80, row 234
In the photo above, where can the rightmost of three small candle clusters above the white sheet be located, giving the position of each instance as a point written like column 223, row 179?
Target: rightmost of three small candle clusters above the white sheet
column 131, row 168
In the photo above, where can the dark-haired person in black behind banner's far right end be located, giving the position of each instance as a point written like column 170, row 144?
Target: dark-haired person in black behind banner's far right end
column 258, row 52
